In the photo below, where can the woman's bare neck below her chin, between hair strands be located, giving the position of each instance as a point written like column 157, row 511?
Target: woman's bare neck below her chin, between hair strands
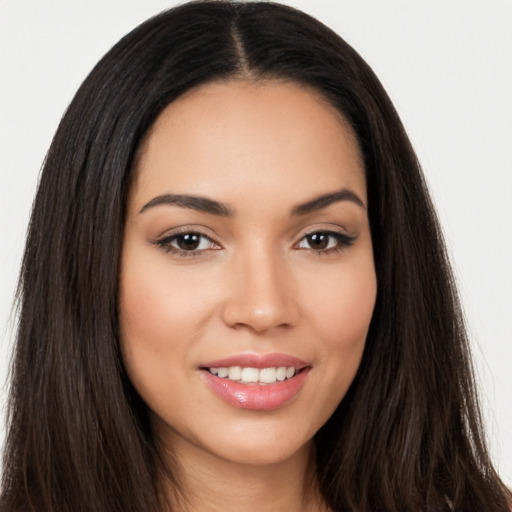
column 211, row 484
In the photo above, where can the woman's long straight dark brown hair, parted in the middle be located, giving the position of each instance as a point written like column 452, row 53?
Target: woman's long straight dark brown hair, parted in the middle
column 407, row 436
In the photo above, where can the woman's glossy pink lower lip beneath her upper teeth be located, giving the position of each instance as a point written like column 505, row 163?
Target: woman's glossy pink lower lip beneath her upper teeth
column 254, row 396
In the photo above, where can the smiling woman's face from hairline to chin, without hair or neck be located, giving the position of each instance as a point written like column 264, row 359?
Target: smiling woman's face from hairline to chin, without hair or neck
column 247, row 282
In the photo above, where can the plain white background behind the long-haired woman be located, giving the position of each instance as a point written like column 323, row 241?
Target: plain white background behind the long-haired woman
column 447, row 65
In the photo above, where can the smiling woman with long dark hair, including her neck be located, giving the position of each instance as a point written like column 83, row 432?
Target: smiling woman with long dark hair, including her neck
column 235, row 291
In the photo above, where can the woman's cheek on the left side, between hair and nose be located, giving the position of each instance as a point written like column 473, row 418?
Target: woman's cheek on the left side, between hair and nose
column 160, row 314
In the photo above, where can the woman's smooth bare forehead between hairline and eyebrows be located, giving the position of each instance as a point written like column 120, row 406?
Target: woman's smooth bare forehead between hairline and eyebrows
column 230, row 138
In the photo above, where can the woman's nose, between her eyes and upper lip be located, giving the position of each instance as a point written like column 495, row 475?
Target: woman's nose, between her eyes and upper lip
column 261, row 293
